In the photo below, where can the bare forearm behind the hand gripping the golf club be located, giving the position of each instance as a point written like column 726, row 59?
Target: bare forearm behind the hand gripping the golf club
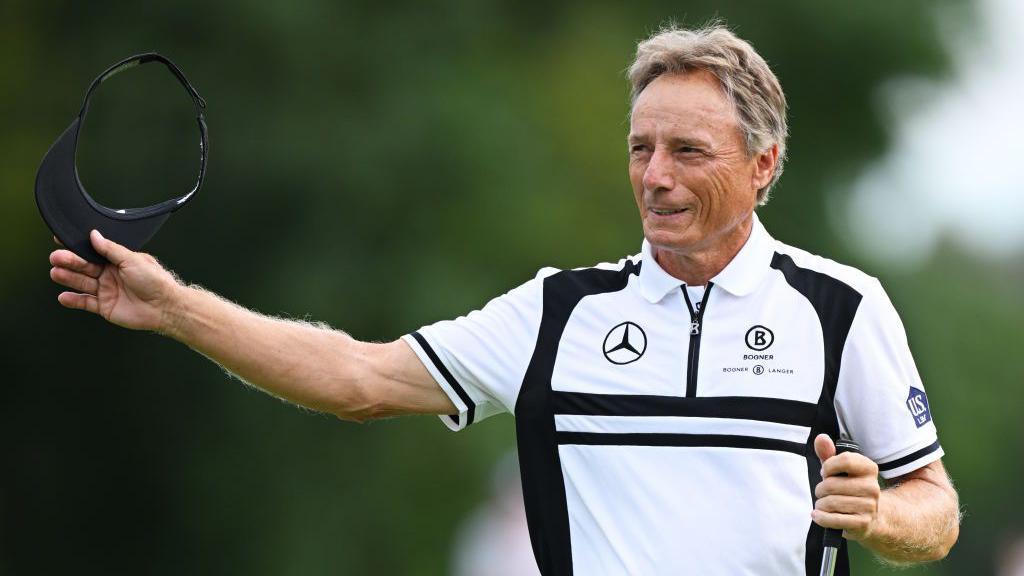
column 918, row 521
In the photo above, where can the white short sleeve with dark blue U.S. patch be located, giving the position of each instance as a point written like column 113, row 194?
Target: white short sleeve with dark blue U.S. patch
column 880, row 399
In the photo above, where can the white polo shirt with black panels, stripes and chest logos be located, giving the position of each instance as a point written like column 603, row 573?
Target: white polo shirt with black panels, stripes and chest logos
column 663, row 434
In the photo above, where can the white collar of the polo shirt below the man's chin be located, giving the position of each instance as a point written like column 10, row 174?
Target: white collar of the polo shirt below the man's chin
column 741, row 277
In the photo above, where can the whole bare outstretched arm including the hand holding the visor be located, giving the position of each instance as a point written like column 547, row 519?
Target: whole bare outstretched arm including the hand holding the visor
column 311, row 365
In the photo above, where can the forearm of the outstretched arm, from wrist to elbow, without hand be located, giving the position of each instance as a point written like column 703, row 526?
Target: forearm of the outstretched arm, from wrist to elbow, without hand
column 307, row 364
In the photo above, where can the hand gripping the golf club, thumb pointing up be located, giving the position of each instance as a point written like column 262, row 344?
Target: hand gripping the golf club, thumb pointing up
column 848, row 503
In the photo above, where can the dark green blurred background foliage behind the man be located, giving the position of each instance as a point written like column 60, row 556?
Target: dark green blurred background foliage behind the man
column 383, row 166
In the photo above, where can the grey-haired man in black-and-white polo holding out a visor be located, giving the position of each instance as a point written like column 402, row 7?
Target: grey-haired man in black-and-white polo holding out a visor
column 675, row 410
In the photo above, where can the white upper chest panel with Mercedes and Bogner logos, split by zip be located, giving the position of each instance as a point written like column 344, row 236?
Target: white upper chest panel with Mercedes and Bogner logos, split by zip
column 766, row 345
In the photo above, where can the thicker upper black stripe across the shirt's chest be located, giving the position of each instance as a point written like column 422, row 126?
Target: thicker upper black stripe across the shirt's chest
column 765, row 409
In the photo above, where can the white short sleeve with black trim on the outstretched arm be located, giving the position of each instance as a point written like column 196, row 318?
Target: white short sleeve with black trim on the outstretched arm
column 480, row 360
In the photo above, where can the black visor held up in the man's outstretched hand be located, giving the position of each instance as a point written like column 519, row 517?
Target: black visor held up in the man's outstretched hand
column 72, row 214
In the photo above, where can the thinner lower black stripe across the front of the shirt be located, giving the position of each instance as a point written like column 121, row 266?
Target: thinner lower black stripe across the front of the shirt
column 685, row 440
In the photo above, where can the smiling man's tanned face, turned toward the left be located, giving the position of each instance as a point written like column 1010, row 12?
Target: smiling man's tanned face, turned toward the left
column 693, row 179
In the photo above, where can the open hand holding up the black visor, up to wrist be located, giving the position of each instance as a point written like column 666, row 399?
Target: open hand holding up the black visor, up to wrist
column 132, row 291
